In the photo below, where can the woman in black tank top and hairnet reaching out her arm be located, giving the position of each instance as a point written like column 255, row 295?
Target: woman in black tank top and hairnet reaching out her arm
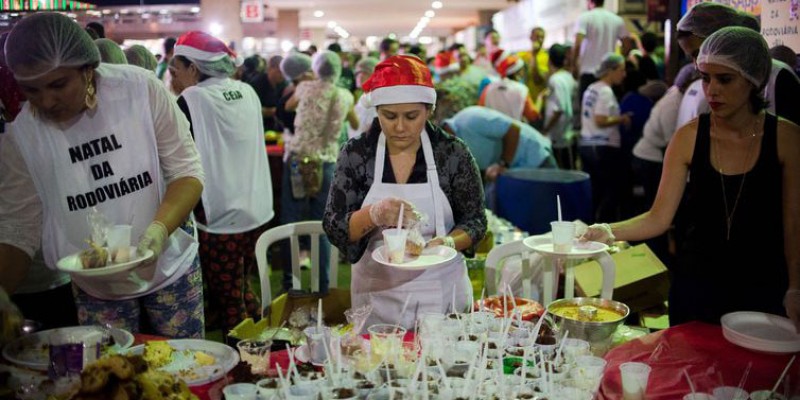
column 739, row 217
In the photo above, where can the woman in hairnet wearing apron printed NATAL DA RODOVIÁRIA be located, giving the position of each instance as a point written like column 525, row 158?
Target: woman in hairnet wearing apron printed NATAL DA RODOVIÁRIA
column 98, row 142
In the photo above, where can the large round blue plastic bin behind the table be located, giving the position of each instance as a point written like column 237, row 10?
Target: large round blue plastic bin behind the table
column 527, row 197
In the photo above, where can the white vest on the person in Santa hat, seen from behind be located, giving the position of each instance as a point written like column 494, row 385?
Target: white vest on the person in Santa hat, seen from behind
column 229, row 133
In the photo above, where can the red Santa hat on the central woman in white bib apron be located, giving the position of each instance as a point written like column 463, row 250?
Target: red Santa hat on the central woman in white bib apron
column 397, row 80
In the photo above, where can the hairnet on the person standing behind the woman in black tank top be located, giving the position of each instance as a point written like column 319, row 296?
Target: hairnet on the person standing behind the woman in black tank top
column 706, row 18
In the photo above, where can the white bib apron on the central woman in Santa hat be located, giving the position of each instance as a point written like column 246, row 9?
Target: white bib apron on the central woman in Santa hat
column 386, row 288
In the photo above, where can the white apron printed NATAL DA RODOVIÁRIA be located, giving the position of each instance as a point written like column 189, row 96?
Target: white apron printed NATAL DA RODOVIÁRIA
column 108, row 160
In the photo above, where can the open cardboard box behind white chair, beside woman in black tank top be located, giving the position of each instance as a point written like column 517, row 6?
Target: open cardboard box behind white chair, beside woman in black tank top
column 641, row 280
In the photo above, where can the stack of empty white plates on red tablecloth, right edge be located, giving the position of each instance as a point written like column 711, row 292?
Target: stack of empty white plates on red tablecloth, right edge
column 761, row 332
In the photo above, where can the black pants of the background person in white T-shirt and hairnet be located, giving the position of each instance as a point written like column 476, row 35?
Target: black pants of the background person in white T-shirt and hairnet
column 605, row 166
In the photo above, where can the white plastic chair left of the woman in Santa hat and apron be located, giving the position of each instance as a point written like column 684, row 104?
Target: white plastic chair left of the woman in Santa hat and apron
column 293, row 232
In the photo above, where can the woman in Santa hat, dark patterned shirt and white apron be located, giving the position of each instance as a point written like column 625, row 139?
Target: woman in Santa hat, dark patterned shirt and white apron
column 405, row 160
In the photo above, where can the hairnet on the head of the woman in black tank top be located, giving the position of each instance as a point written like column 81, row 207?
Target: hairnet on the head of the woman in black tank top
column 741, row 49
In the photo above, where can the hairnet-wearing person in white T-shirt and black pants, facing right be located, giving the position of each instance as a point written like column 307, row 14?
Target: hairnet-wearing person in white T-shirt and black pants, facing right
column 600, row 142
